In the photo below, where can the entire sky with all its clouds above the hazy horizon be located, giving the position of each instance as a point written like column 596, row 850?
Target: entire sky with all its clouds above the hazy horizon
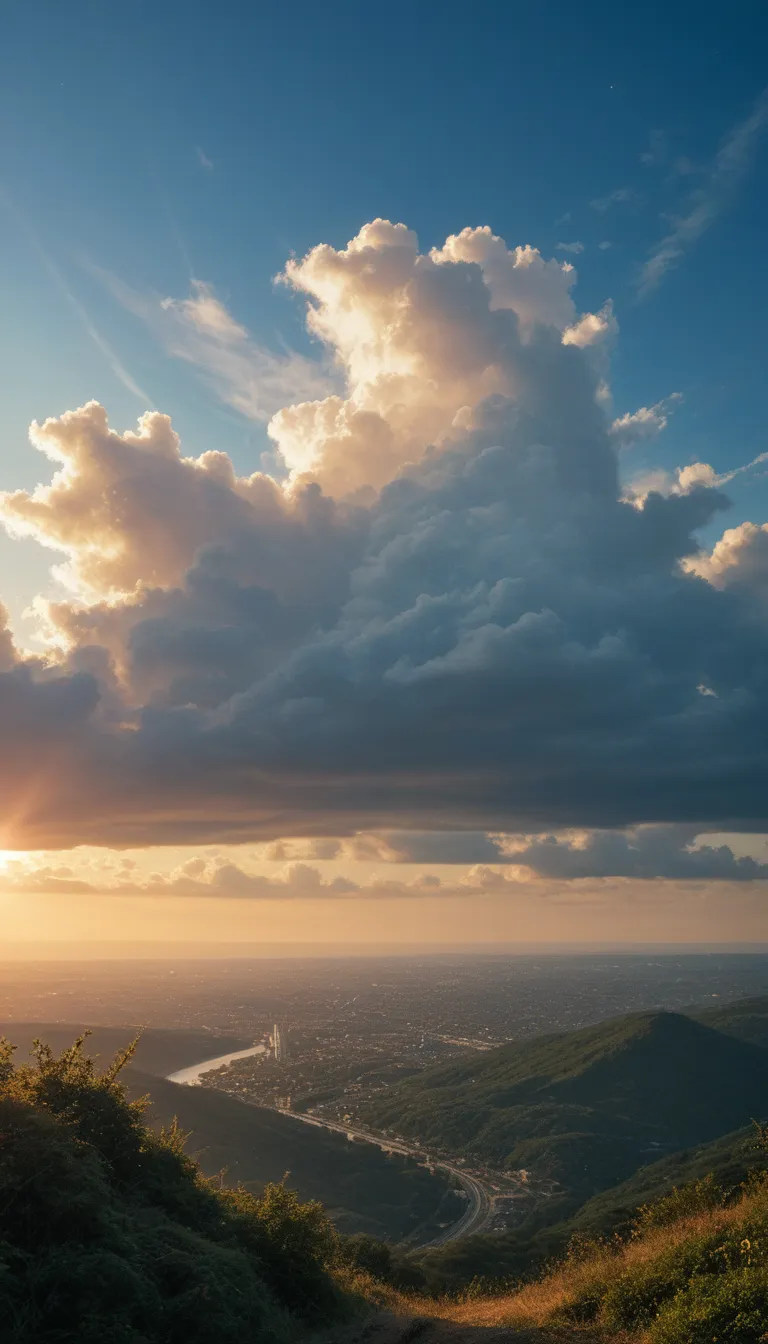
column 384, row 479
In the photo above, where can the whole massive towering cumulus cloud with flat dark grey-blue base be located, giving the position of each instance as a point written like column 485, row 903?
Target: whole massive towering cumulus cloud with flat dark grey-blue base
column 447, row 618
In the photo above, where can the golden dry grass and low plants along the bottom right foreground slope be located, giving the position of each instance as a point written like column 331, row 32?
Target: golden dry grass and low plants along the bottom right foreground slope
column 611, row 1294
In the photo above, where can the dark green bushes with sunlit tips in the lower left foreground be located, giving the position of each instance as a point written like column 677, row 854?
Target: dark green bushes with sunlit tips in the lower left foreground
column 110, row 1233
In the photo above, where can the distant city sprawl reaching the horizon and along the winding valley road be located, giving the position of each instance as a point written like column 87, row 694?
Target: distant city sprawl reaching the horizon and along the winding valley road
column 334, row 1036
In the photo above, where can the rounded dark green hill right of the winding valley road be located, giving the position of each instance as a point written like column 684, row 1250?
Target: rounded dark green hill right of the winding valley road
column 586, row 1108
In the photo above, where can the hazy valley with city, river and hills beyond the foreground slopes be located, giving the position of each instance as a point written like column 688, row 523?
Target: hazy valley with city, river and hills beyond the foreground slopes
column 412, row 1124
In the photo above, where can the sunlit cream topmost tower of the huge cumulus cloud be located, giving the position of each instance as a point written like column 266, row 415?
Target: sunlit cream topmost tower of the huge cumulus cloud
column 422, row 339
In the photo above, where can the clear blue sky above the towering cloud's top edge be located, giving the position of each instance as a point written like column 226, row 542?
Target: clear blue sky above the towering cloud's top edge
column 319, row 118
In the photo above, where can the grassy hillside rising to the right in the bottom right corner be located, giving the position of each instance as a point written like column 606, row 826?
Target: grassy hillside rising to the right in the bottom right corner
column 693, row 1271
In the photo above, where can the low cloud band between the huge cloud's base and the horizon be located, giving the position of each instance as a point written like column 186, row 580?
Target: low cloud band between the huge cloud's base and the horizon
column 498, row 865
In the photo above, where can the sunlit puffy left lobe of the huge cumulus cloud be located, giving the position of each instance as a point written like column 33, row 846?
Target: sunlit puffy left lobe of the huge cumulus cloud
column 132, row 514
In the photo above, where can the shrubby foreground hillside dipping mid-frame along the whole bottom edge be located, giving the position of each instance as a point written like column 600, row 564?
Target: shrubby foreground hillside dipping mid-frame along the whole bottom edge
column 111, row 1234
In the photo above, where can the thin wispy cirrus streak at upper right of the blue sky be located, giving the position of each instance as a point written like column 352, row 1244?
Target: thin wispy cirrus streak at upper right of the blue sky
column 730, row 166
